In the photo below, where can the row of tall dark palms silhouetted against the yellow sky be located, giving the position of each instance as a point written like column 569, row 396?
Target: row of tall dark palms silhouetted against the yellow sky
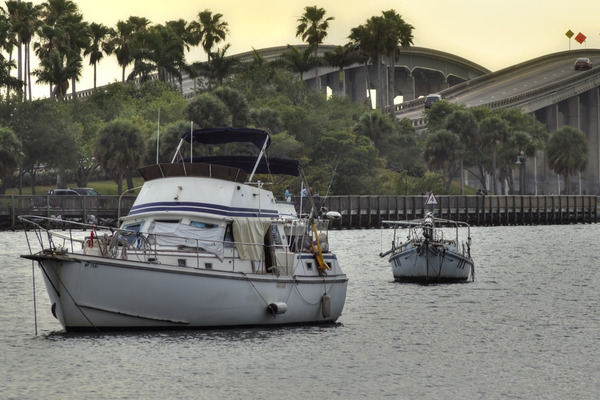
column 62, row 40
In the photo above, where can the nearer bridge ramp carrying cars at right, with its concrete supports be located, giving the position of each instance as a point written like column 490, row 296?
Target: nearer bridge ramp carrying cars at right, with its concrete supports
column 554, row 93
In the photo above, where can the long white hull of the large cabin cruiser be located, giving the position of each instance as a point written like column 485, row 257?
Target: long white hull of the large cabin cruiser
column 93, row 294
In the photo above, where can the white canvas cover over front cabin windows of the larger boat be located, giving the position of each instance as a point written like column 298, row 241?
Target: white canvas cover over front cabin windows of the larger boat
column 170, row 234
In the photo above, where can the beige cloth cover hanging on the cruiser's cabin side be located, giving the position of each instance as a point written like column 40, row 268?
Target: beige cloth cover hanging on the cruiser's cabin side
column 249, row 234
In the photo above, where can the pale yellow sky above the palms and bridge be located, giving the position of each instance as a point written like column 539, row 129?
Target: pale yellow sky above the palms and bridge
column 494, row 34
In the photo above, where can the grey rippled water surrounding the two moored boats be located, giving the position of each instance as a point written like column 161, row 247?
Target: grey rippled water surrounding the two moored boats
column 528, row 327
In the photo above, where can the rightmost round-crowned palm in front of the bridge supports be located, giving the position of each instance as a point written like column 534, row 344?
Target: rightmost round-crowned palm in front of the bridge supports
column 567, row 153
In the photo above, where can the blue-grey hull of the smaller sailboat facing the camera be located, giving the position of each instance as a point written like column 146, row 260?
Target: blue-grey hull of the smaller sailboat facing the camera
column 430, row 264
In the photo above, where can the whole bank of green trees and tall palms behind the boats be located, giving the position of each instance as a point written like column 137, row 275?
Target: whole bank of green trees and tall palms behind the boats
column 347, row 148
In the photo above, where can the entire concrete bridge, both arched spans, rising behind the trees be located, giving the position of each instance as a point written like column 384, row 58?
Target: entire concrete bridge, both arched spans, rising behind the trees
column 546, row 87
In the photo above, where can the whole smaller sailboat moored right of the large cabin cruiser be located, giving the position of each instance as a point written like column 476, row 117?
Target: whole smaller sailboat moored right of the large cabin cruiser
column 433, row 251
